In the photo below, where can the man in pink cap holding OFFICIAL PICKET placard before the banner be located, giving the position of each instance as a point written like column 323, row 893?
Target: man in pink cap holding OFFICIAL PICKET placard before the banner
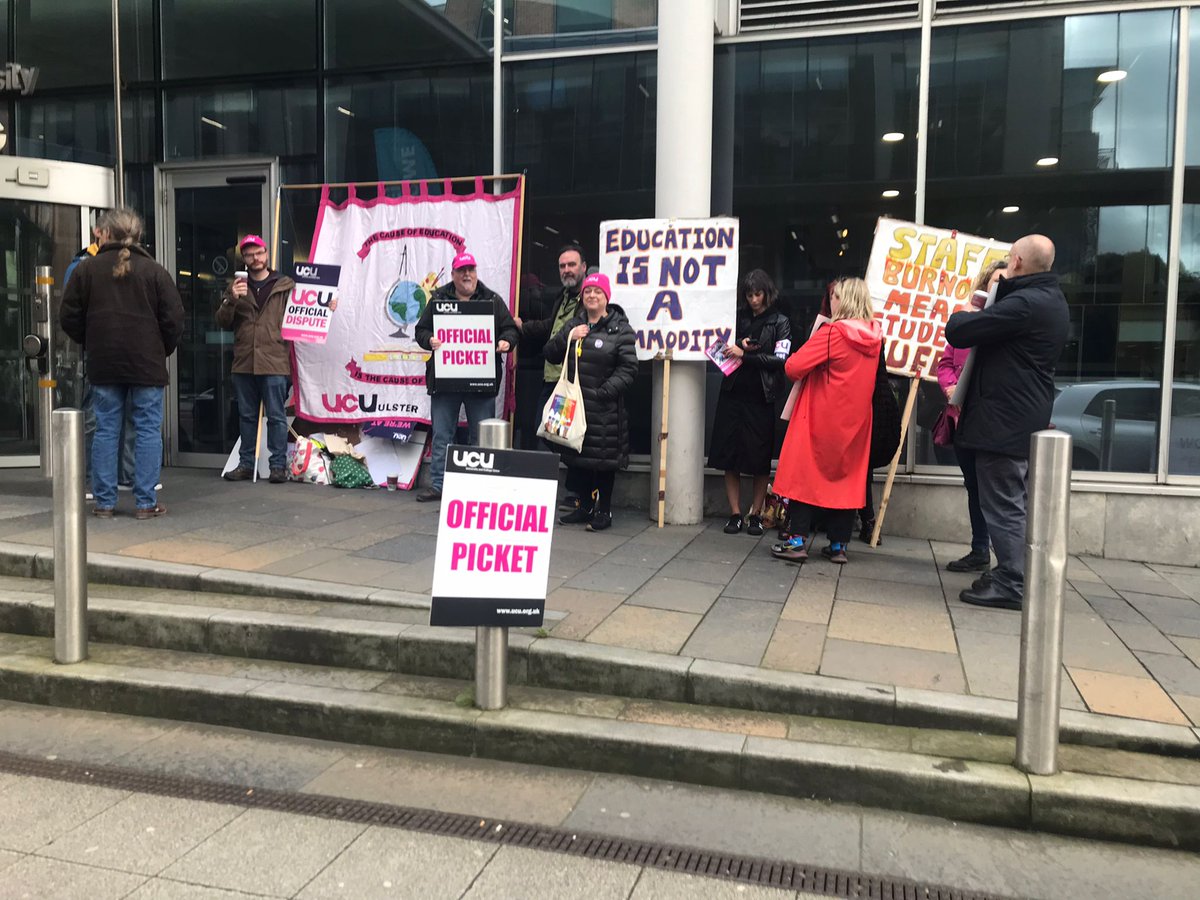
column 465, row 285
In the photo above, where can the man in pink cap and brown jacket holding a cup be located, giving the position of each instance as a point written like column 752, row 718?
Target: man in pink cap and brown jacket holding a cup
column 254, row 309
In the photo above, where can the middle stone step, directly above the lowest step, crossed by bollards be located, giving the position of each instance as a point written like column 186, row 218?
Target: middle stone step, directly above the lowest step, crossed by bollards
column 394, row 640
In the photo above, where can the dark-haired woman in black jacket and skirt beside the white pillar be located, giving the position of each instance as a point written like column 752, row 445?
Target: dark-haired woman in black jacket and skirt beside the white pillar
column 745, row 425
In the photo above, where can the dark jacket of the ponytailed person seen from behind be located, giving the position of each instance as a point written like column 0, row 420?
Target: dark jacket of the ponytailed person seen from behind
column 128, row 327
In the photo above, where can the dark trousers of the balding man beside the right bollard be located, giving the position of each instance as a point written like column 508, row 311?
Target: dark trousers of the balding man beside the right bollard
column 1003, row 501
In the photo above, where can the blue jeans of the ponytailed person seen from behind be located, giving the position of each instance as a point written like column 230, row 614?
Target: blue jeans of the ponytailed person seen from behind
column 110, row 403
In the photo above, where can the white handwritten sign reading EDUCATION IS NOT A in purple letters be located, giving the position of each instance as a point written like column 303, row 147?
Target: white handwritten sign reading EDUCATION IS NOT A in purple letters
column 676, row 279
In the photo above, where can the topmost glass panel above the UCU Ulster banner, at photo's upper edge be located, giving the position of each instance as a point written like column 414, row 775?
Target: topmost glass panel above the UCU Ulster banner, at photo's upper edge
column 406, row 33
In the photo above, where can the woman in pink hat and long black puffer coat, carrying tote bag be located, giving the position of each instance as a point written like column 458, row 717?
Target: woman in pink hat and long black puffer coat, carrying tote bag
column 604, row 347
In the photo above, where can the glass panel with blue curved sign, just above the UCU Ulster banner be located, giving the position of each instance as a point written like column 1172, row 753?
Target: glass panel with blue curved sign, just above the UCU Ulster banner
column 436, row 123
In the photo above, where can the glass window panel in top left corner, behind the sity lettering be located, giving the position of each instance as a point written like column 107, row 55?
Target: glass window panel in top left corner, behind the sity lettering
column 62, row 39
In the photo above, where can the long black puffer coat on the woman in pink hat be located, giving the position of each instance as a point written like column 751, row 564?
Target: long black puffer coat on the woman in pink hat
column 608, row 367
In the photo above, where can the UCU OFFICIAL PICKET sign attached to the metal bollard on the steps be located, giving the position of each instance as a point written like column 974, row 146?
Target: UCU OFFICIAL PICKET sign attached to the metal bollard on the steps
column 493, row 562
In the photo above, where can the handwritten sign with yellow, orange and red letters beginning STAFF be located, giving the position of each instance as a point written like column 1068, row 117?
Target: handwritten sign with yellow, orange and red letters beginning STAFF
column 919, row 278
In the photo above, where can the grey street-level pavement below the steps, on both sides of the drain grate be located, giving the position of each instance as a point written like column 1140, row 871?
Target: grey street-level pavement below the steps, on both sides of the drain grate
column 67, row 841
